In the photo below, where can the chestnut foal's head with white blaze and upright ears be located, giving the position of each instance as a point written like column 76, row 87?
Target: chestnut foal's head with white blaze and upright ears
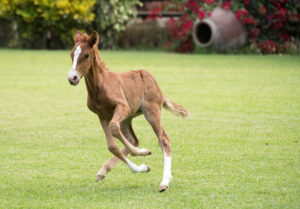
column 82, row 56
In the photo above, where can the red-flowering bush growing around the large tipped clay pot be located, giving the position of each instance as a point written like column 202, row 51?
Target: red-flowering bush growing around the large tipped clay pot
column 270, row 23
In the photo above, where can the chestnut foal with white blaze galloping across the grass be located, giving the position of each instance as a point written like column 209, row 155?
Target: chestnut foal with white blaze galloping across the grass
column 117, row 98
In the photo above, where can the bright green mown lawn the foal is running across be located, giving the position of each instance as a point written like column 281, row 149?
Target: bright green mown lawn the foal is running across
column 239, row 149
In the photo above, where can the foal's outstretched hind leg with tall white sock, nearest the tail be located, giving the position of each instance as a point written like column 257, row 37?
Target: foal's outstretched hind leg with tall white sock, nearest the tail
column 152, row 114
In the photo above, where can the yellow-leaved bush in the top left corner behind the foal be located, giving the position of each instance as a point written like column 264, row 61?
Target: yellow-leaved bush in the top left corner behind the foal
column 44, row 24
